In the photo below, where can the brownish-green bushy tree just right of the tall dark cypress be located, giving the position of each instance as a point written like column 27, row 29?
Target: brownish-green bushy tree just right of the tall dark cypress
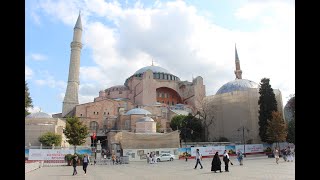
column 277, row 128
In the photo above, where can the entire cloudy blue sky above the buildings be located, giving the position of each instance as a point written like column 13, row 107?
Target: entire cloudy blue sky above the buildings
column 188, row 38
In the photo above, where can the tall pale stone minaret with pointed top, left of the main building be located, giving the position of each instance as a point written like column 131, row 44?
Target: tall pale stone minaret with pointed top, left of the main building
column 71, row 96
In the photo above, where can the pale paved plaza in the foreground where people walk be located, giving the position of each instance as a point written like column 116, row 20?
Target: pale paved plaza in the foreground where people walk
column 261, row 168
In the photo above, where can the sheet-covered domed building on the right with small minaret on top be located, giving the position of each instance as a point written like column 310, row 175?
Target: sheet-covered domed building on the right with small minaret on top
column 237, row 109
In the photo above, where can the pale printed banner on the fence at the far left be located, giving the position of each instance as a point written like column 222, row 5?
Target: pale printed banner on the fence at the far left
column 49, row 154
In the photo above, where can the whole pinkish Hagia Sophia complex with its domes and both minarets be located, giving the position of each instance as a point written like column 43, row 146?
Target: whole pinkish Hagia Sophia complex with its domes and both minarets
column 143, row 106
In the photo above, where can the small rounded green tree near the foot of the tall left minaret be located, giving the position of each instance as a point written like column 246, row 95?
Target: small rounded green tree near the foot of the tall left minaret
column 75, row 131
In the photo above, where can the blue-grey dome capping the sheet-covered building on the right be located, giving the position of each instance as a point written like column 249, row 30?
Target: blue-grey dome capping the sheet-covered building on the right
column 237, row 85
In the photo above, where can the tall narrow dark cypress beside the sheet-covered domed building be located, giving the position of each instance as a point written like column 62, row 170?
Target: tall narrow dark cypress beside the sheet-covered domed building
column 268, row 103
